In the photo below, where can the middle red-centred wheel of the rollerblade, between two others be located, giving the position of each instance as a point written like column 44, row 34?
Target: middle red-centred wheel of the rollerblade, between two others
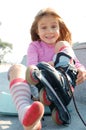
column 43, row 97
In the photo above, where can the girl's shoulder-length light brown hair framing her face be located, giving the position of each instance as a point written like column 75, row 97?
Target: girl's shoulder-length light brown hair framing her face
column 65, row 34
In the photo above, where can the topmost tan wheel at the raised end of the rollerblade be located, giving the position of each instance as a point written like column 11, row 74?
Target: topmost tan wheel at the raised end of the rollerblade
column 29, row 75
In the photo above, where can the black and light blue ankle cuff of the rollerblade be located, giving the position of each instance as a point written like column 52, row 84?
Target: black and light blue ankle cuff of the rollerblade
column 66, row 64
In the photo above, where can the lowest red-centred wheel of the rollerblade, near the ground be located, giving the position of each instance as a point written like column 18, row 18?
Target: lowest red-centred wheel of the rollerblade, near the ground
column 55, row 117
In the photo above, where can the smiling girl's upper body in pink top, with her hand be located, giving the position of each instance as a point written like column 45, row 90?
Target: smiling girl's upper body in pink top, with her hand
column 47, row 31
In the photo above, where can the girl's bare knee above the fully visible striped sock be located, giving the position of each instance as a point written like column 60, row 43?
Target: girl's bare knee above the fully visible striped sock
column 16, row 71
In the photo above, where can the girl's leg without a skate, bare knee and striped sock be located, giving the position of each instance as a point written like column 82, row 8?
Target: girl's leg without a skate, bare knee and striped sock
column 29, row 113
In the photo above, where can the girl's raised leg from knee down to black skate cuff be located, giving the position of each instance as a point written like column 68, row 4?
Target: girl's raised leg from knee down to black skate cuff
column 69, row 65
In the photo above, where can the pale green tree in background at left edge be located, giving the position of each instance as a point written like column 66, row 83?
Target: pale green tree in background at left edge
column 5, row 48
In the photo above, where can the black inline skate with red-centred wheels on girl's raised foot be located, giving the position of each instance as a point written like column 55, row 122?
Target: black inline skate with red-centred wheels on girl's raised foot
column 54, row 88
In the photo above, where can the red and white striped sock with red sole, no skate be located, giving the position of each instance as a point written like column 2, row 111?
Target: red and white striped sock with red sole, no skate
column 29, row 113
